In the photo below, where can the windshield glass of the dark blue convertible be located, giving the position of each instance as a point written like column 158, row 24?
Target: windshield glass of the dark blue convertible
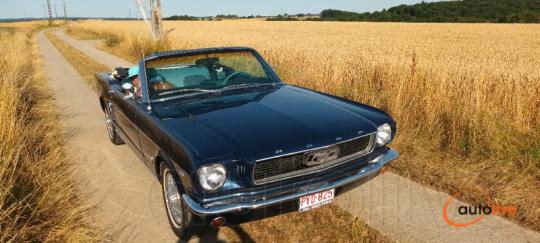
column 209, row 72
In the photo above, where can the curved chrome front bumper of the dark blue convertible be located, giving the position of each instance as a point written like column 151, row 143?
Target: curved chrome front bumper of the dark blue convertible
column 373, row 167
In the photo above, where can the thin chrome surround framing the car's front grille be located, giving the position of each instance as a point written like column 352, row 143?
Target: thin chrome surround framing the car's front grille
column 318, row 168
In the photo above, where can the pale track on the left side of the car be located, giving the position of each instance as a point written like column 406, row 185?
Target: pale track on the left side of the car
column 114, row 178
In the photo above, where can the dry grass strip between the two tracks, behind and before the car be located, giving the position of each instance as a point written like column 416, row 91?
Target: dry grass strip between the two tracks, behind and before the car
column 332, row 222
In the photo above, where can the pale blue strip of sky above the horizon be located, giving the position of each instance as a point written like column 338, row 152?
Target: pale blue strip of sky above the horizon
column 123, row 8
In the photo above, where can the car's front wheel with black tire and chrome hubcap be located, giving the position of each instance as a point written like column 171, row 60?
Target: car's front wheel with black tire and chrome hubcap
column 183, row 222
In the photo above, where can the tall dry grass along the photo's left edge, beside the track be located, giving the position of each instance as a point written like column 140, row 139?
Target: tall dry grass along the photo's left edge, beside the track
column 38, row 199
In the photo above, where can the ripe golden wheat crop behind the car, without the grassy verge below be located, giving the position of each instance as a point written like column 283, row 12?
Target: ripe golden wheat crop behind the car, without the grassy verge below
column 450, row 82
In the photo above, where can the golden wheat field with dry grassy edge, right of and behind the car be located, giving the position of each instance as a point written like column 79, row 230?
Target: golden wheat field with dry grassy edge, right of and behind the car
column 465, row 96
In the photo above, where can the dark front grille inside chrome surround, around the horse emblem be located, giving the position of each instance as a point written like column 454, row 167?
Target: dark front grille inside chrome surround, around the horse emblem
column 293, row 165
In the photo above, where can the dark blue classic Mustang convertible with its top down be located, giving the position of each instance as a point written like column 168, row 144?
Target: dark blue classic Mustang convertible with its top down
column 230, row 142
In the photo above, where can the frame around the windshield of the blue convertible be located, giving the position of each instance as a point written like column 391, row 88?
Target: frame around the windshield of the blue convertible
column 185, row 53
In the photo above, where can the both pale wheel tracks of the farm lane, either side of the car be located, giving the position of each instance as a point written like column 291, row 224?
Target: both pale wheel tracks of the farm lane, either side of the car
column 120, row 184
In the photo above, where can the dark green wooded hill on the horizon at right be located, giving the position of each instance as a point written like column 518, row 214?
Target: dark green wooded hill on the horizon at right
column 494, row 11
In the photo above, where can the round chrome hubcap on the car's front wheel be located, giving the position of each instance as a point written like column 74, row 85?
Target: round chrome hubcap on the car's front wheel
column 173, row 200
